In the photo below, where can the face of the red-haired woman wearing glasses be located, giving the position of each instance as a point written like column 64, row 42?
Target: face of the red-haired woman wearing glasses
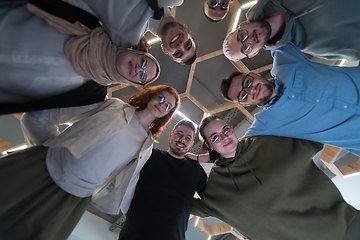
column 161, row 104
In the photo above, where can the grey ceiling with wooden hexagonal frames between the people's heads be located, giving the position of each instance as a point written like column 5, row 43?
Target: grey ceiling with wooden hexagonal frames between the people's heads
column 199, row 84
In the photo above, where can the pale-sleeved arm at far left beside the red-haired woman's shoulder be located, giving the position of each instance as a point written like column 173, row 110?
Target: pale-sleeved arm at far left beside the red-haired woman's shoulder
column 40, row 126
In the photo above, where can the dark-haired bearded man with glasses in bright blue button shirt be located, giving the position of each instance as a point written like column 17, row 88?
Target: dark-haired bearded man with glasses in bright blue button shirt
column 305, row 100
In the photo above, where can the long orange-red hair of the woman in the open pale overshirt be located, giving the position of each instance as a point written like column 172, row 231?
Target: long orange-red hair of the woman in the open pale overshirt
column 141, row 99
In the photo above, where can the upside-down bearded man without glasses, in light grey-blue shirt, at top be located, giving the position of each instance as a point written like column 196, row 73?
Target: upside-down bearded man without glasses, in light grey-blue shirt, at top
column 126, row 22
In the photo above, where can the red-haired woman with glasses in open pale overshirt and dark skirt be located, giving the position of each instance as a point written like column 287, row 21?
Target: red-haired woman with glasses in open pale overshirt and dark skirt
column 96, row 159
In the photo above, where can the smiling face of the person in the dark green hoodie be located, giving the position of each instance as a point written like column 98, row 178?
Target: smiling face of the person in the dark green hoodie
column 226, row 147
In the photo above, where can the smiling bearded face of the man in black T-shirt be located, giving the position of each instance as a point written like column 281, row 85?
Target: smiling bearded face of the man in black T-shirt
column 180, row 141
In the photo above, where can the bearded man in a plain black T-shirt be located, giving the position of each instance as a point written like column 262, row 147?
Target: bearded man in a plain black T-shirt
column 163, row 196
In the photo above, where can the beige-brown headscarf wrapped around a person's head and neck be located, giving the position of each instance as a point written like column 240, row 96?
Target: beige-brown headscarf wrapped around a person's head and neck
column 91, row 52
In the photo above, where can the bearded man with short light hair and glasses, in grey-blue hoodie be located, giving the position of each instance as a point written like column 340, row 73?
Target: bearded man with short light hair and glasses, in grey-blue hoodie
column 323, row 28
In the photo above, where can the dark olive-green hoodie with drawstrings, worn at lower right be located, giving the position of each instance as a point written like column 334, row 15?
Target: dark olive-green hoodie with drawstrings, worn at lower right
column 296, row 200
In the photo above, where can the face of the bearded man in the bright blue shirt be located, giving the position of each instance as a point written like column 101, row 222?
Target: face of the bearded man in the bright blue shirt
column 260, row 91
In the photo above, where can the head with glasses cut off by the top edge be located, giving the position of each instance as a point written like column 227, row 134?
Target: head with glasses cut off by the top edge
column 216, row 10
